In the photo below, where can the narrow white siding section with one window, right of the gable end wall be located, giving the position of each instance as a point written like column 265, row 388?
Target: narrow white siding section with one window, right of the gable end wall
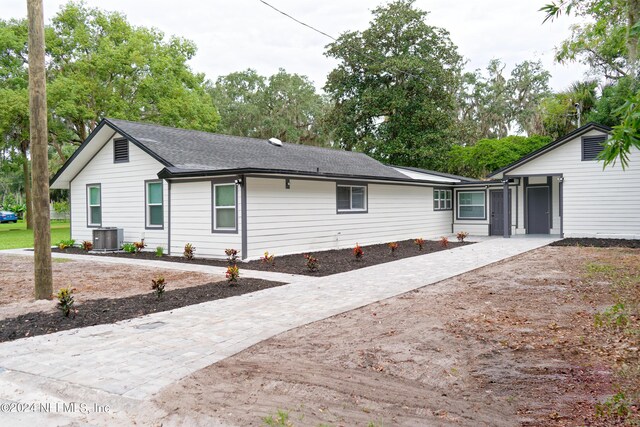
column 191, row 216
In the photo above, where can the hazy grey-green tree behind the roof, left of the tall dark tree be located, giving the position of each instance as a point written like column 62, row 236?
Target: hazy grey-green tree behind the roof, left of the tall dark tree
column 284, row 105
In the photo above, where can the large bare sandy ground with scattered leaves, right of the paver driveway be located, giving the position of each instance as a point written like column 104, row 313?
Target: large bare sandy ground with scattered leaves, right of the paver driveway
column 504, row 345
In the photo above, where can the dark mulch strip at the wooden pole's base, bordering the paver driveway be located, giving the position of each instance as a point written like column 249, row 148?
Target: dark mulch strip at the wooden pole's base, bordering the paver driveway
column 110, row 310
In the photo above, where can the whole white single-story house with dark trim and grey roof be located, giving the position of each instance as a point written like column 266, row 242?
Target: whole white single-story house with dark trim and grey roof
column 173, row 186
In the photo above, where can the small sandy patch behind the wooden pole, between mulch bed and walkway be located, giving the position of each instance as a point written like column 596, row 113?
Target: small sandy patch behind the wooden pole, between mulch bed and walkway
column 91, row 279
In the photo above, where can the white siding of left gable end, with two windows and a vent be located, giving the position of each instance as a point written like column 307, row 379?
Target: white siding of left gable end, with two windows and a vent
column 123, row 195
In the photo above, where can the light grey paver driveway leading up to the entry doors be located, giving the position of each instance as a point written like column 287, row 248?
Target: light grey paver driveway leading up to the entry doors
column 136, row 358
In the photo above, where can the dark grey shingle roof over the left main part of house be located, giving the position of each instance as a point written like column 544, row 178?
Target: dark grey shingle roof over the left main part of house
column 188, row 150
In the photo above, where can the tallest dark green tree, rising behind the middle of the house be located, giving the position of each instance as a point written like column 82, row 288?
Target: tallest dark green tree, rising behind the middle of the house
column 393, row 92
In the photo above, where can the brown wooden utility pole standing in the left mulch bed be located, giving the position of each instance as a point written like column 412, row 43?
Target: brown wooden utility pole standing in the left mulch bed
column 39, row 143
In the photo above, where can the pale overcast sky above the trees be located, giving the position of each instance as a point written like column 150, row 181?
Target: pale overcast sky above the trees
column 234, row 35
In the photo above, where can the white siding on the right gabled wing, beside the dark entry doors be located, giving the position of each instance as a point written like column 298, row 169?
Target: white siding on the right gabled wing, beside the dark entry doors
column 596, row 202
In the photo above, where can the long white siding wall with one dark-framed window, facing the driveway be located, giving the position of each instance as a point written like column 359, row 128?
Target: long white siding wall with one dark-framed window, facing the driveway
column 304, row 218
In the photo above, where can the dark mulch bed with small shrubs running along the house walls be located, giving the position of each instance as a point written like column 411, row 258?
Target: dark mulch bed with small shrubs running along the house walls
column 331, row 262
